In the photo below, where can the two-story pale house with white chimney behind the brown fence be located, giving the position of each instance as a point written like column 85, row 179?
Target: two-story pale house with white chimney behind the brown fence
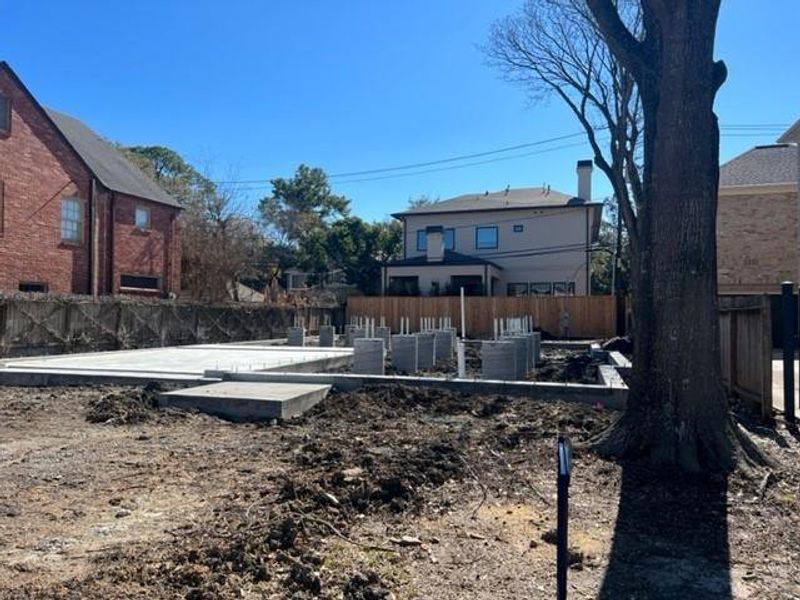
column 512, row 242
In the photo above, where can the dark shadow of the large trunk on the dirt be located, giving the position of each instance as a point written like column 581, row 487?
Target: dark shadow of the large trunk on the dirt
column 670, row 539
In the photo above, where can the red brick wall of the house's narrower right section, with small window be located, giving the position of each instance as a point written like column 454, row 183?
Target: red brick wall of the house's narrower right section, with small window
column 154, row 252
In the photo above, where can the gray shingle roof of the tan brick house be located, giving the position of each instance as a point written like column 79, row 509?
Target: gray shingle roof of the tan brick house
column 762, row 165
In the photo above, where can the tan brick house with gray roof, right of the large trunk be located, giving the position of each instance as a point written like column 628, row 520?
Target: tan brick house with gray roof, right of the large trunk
column 757, row 218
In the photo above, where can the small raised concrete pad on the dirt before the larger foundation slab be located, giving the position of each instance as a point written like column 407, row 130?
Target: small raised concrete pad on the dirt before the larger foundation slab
column 248, row 401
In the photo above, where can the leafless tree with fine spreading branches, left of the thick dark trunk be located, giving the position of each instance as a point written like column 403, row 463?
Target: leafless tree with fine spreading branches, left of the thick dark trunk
column 552, row 47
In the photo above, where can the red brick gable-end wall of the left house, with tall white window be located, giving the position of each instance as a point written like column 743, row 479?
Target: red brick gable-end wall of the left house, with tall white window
column 38, row 169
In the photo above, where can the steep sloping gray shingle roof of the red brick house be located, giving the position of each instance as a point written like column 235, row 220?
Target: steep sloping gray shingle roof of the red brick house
column 107, row 163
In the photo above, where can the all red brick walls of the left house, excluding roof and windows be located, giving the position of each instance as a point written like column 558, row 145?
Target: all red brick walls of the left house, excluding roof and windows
column 38, row 169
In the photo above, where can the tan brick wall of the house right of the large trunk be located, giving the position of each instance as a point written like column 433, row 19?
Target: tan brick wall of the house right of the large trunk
column 757, row 243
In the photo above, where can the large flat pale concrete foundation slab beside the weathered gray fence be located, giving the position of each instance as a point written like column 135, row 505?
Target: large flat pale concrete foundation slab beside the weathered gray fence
column 176, row 363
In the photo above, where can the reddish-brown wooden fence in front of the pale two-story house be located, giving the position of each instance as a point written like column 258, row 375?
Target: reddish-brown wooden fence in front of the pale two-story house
column 589, row 316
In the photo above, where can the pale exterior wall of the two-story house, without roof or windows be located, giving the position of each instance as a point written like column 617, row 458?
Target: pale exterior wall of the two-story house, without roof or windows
column 548, row 230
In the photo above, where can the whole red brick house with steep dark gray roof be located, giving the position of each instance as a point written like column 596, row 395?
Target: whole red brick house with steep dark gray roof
column 75, row 215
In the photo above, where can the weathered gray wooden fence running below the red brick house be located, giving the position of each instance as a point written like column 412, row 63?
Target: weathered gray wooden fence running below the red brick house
column 54, row 325
